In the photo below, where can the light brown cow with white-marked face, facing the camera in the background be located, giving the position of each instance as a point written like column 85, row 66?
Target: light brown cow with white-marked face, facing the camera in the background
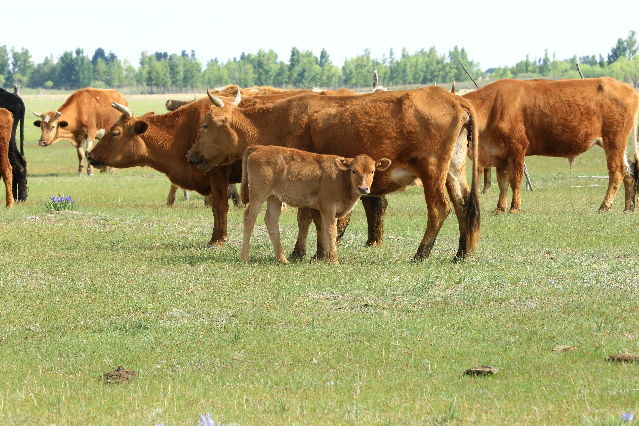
column 86, row 114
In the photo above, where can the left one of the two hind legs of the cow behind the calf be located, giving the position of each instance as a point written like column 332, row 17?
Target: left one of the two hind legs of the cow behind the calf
column 438, row 210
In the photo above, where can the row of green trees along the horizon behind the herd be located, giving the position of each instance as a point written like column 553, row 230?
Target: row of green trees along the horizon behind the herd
column 162, row 72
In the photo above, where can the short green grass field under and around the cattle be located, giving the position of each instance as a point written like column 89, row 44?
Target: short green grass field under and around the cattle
column 126, row 281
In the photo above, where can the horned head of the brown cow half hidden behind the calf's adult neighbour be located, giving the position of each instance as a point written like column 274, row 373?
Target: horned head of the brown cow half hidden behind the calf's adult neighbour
column 122, row 146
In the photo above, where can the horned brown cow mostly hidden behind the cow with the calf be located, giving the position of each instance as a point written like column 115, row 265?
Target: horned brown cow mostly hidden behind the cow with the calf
column 161, row 142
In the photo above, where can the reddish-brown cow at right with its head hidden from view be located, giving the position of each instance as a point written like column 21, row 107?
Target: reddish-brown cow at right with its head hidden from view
column 562, row 118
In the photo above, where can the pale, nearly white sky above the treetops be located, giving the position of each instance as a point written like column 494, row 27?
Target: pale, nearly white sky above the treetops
column 494, row 33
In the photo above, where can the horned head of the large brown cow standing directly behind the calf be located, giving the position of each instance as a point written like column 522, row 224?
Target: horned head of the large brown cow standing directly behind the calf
column 218, row 142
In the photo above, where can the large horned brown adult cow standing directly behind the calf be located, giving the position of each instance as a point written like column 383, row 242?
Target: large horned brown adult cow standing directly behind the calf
column 423, row 132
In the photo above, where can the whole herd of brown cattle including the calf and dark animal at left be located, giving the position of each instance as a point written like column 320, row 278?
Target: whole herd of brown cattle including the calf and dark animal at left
column 322, row 148
